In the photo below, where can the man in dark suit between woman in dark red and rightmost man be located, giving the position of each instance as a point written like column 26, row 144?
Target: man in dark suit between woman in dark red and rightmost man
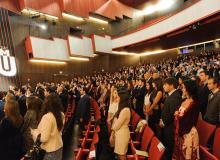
column 203, row 92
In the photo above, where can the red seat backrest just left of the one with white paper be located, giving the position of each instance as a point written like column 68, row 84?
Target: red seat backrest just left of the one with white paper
column 147, row 136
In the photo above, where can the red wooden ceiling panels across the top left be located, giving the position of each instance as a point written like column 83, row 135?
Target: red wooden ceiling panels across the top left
column 77, row 7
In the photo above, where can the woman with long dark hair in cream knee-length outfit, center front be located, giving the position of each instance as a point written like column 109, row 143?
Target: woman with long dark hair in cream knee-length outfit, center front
column 120, row 129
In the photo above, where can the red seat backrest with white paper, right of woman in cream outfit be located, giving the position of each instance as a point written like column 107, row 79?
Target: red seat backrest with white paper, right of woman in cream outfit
column 156, row 149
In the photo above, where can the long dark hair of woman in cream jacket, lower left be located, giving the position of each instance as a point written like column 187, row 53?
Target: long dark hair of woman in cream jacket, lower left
column 53, row 104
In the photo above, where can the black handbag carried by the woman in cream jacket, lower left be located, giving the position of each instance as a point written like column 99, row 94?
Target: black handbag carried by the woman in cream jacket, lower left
column 36, row 153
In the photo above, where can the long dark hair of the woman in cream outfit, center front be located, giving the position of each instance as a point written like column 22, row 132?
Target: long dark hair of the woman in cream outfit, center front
column 124, row 102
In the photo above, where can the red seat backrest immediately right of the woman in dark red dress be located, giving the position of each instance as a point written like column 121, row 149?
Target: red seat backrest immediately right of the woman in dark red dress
column 205, row 131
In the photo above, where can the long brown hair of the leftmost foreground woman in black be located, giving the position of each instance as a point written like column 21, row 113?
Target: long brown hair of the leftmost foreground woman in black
column 13, row 113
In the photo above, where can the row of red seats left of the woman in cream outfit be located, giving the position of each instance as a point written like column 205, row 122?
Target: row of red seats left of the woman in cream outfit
column 90, row 137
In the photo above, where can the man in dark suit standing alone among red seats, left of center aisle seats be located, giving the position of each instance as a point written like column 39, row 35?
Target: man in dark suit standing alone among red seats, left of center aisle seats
column 83, row 108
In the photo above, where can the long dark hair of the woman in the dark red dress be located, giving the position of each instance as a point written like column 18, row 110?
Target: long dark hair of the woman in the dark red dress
column 191, row 88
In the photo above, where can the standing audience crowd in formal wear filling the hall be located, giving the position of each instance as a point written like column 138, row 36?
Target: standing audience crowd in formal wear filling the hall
column 170, row 95
